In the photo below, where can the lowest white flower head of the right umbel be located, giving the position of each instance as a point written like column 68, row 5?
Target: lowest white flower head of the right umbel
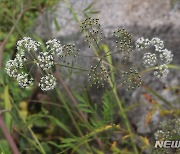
column 161, row 71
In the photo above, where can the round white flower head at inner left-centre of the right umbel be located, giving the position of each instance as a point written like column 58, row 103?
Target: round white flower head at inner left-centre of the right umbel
column 149, row 59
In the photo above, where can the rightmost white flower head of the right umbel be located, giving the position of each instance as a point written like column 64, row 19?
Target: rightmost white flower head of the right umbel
column 166, row 56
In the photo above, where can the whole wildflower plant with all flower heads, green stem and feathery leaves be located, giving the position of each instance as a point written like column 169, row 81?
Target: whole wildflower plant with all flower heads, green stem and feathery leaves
column 57, row 56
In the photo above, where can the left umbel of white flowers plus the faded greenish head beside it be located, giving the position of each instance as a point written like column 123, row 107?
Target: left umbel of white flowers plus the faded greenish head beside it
column 29, row 53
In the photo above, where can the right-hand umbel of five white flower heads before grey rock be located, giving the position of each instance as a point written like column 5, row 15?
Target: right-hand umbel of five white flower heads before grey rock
column 152, row 59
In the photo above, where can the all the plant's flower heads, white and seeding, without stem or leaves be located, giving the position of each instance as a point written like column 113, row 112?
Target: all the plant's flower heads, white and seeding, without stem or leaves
column 64, row 55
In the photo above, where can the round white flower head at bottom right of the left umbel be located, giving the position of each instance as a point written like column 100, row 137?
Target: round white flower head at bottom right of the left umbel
column 47, row 82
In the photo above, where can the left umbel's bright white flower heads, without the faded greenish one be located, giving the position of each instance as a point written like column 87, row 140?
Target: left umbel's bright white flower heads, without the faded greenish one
column 44, row 60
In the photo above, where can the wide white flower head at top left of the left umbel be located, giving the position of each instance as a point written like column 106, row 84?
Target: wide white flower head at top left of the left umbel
column 27, row 44
